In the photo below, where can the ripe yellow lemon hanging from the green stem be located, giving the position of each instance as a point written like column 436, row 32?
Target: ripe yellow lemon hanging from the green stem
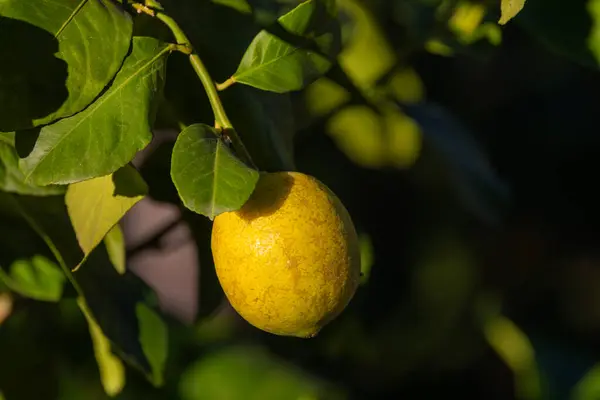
column 289, row 259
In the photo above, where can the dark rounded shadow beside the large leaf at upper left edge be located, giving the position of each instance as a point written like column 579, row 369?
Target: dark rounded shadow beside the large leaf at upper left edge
column 32, row 78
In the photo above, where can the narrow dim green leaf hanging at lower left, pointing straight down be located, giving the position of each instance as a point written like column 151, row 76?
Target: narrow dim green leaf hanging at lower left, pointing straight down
column 153, row 337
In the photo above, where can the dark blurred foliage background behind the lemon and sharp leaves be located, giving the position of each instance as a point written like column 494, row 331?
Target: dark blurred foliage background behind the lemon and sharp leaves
column 466, row 153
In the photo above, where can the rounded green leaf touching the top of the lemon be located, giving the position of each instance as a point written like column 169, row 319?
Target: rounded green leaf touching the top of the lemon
column 209, row 179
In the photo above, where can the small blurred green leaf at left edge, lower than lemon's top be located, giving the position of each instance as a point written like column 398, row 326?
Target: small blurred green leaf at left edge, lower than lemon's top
column 37, row 278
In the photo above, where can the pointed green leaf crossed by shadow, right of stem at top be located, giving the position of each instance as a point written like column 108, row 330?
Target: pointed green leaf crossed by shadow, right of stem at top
column 273, row 64
